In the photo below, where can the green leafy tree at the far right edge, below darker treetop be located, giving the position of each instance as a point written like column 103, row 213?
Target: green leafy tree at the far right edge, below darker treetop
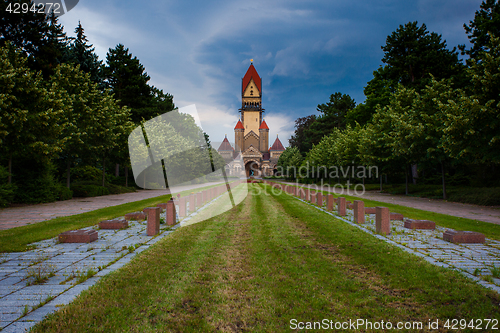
column 474, row 134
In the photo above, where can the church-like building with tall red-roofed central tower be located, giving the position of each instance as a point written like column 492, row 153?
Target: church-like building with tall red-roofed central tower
column 251, row 154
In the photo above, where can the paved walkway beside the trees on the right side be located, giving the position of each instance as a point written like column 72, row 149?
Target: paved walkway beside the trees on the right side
column 473, row 212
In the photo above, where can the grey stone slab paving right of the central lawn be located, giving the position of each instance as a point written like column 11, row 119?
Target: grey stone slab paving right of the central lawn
column 475, row 261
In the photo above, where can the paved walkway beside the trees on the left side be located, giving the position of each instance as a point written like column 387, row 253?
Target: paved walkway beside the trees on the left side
column 19, row 216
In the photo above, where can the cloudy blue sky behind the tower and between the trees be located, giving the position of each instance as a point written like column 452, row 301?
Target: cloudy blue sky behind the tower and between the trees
column 304, row 51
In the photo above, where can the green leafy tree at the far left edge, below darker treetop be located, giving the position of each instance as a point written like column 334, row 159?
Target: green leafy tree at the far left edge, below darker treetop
column 31, row 113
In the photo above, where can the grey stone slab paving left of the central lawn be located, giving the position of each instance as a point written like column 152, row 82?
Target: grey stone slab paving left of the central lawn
column 68, row 265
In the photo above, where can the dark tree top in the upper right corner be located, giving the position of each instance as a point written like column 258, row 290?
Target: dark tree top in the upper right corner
column 486, row 21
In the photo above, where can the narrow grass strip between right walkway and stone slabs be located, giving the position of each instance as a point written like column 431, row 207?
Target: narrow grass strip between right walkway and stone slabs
column 491, row 230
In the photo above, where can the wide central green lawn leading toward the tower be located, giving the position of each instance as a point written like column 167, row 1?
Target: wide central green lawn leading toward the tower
column 260, row 266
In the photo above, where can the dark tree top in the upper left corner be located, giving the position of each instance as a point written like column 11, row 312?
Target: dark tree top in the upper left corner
column 38, row 36
